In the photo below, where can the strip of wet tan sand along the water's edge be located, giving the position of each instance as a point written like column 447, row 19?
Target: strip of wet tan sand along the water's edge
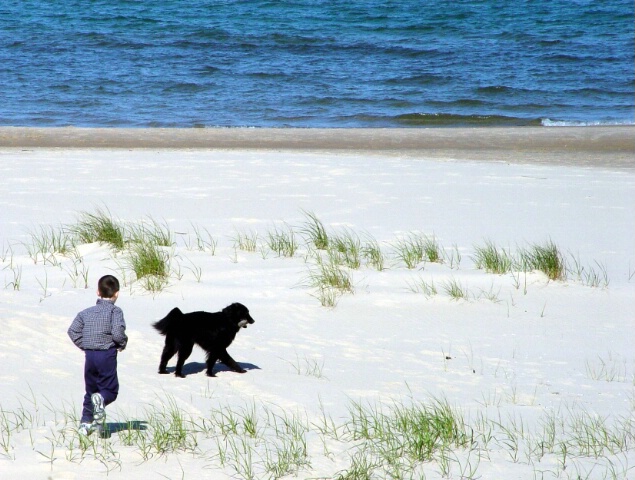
column 602, row 146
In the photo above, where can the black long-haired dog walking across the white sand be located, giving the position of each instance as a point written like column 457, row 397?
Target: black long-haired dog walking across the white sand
column 213, row 332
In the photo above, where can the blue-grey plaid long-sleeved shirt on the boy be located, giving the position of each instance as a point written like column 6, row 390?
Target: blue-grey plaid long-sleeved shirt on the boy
column 99, row 328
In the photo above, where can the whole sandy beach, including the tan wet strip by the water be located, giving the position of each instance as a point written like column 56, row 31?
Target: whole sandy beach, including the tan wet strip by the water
column 540, row 371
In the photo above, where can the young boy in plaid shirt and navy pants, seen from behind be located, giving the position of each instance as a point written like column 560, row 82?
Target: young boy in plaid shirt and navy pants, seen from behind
column 100, row 331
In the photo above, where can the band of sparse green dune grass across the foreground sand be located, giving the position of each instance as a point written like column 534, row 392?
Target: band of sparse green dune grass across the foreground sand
column 258, row 440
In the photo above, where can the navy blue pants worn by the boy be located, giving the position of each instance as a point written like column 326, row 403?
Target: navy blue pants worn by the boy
column 100, row 376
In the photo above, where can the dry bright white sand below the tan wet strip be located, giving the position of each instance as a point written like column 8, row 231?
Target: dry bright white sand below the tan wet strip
column 541, row 350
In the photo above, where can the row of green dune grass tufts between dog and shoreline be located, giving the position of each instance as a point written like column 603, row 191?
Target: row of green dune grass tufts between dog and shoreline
column 149, row 247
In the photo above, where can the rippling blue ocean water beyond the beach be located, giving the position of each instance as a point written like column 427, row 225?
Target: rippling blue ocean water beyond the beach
column 316, row 63
